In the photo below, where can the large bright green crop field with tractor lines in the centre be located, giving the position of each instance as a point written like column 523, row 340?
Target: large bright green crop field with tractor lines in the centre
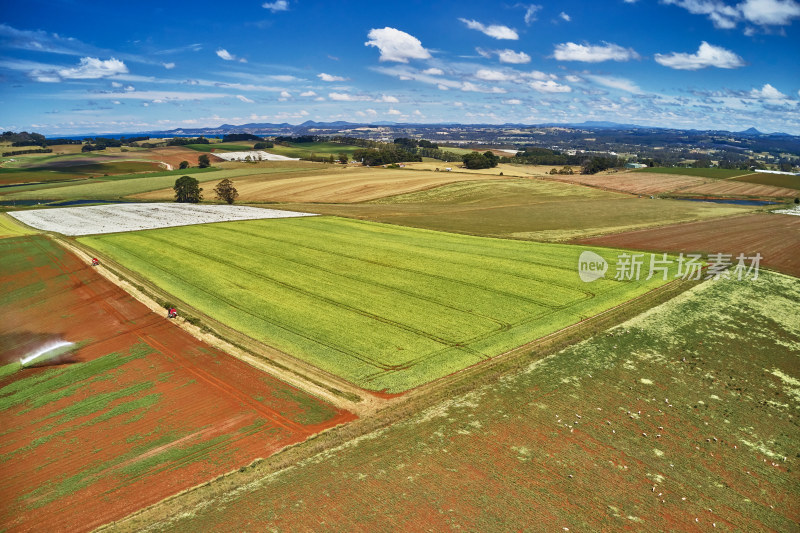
column 385, row 307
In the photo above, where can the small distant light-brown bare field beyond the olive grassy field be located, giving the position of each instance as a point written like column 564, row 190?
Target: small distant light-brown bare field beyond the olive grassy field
column 637, row 182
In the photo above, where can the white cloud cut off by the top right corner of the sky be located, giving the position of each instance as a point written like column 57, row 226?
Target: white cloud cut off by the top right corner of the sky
column 760, row 12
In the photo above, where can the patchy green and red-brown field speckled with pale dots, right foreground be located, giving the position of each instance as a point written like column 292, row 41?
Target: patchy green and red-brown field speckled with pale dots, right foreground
column 711, row 384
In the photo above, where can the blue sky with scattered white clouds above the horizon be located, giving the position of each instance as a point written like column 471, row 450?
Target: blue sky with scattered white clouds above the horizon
column 69, row 67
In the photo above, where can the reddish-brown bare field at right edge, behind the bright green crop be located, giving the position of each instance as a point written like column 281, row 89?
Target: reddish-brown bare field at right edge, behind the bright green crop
column 775, row 237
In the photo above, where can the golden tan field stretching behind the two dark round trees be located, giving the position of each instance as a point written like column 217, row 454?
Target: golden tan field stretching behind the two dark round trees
column 339, row 185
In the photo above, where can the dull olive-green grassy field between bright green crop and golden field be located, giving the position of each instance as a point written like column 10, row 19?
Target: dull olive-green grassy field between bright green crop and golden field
column 524, row 209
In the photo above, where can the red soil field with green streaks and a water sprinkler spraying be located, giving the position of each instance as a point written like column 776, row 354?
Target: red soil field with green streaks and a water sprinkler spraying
column 138, row 411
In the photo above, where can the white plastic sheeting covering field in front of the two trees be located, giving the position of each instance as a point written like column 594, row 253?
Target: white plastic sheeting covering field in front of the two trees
column 113, row 218
